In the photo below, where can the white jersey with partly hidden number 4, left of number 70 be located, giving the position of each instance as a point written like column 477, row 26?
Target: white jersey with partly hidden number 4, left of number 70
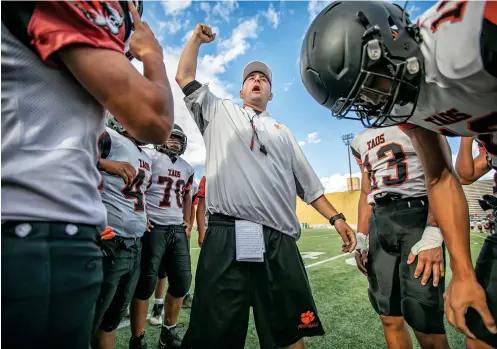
column 125, row 204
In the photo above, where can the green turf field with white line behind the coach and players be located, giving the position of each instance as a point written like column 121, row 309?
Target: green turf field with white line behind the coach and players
column 340, row 292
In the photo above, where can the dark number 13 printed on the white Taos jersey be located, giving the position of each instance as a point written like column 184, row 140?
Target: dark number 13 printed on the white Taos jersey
column 397, row 159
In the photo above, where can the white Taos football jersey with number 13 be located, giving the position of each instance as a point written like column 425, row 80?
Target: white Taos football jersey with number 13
column 388, row 155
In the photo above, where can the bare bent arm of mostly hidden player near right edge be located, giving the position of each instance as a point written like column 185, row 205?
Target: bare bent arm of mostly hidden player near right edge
column 469, row 169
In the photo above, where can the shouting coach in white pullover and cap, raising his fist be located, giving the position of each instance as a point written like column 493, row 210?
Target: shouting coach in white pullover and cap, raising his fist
column 255, row 170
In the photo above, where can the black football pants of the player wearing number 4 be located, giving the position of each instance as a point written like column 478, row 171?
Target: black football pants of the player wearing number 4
column 120, row 279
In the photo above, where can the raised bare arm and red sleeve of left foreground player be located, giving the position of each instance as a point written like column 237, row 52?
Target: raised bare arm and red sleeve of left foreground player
column 61, row 32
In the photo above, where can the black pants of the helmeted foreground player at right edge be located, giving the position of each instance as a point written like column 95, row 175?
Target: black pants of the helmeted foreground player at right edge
column 486, row 273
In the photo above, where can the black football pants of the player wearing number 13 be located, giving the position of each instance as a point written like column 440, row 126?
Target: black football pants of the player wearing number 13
column 394, row 228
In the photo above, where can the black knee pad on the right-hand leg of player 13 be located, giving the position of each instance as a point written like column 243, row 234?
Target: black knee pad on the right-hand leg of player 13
column 422, row 318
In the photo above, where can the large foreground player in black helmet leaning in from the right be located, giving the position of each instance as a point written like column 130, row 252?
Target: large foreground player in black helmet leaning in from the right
column 368, row 61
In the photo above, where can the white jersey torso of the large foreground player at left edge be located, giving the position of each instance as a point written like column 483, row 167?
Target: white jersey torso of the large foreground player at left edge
column 50, row 130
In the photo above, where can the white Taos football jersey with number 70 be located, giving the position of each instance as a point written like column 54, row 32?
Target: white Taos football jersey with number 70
column 170, row 180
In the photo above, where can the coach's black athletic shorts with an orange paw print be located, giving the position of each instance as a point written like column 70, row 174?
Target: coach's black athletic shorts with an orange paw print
column 277, row 289
